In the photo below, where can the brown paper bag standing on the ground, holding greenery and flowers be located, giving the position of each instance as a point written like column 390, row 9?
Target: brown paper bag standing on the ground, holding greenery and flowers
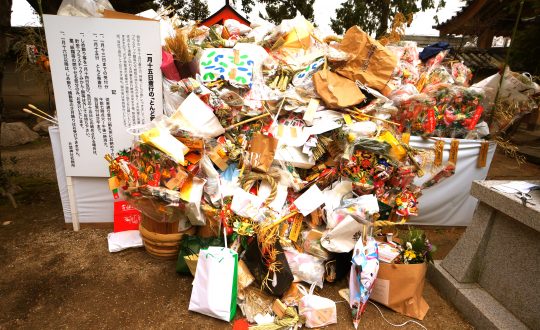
column 400, row 287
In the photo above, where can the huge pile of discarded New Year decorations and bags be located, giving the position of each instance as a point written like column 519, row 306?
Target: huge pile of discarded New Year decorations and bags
column 283, row 154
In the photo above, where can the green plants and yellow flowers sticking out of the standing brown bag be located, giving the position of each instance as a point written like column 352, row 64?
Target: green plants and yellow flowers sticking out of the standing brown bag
column 416, row 248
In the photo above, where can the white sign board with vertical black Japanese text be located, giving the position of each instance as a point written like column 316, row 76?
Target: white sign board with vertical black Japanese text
column 106, row 77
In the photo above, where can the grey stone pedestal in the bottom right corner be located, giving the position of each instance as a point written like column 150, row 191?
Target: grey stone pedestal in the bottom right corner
column 492, row 274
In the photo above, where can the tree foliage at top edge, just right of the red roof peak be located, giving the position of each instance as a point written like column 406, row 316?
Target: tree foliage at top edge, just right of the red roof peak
column 278, row 10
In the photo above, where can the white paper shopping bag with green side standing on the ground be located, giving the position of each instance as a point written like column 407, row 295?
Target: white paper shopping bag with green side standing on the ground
column 215, row 284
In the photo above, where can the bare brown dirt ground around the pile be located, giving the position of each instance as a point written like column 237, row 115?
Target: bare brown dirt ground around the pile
column 52, row 277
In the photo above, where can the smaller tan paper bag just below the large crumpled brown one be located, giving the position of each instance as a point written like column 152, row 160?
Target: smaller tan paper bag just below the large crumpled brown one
column 336, row 91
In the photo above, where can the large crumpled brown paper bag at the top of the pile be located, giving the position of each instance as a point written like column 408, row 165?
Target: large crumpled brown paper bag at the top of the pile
column 370, row 62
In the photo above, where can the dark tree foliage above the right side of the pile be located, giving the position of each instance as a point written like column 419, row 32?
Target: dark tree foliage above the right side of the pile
column 374, row 16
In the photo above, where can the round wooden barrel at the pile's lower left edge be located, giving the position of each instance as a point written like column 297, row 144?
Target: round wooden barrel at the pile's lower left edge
column 162, row 239
